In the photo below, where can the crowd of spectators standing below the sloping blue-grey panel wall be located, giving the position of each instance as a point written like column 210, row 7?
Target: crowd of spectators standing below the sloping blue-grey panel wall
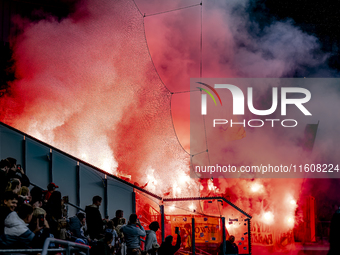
column 29, row 216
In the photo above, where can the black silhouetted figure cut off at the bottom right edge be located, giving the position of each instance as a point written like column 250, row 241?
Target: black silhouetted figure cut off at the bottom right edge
column 334, row 234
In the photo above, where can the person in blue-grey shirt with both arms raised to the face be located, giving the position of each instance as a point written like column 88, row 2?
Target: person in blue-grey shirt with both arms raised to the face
column 132, row 235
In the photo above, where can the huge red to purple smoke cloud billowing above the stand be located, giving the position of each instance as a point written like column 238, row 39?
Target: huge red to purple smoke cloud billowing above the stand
column 87, row 85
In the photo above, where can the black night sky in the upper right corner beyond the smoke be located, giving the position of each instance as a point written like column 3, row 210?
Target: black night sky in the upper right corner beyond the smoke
column 318, row 18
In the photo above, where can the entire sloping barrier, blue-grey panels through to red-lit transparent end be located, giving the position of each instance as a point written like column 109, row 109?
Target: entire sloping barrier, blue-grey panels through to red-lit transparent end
column 201, row 233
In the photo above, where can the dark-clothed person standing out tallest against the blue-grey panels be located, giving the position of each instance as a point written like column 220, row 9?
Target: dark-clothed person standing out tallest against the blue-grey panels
column 94, row 220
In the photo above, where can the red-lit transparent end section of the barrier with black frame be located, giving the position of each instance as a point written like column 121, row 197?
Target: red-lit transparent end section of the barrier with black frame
column 200, row 233
